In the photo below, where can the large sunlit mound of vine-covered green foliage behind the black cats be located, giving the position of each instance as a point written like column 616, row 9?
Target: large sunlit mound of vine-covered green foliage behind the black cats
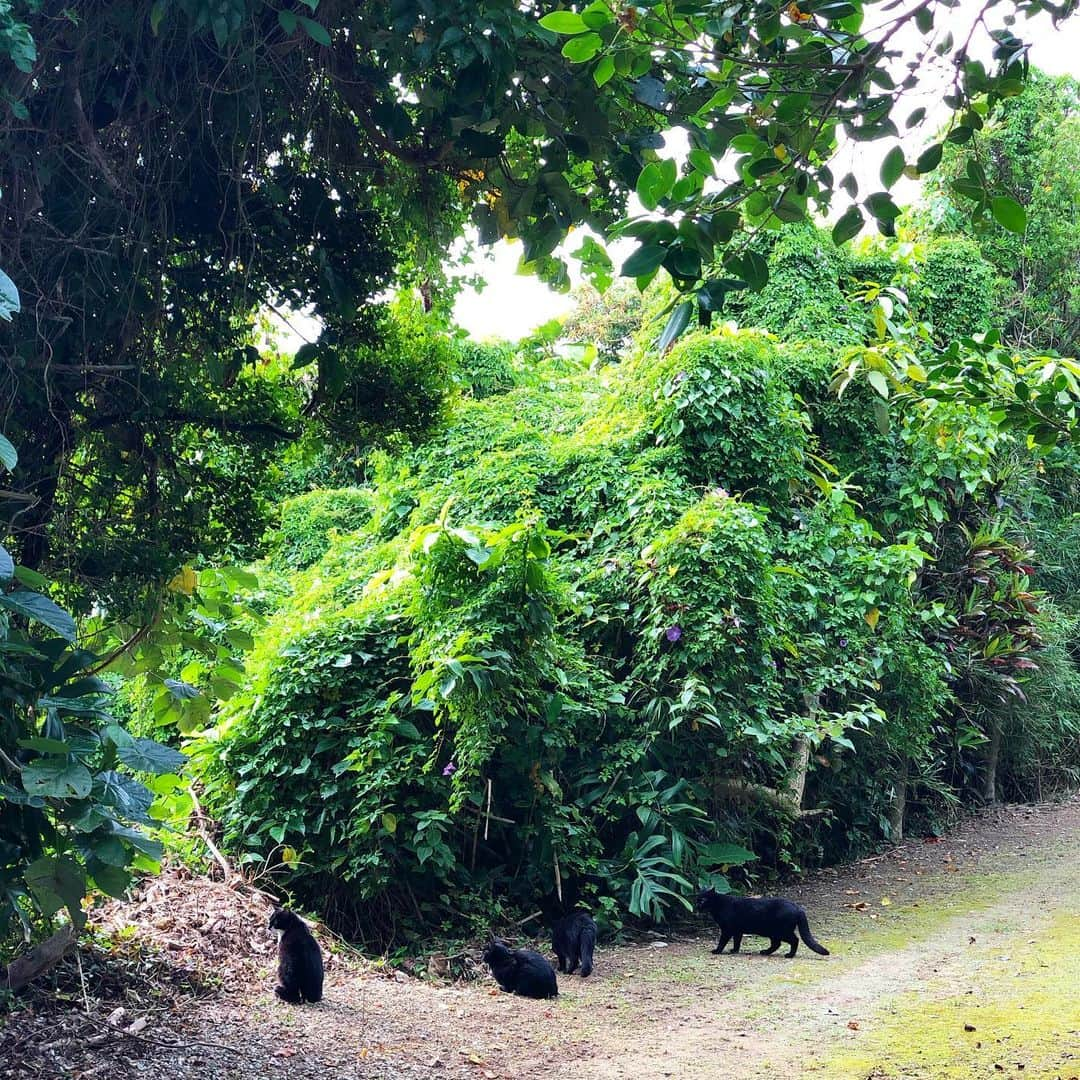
column 491, row 710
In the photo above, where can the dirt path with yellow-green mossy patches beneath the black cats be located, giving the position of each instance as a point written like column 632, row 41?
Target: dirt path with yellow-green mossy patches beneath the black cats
column 958, row 958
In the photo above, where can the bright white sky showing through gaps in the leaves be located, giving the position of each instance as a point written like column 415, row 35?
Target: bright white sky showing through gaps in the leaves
column 512, row 305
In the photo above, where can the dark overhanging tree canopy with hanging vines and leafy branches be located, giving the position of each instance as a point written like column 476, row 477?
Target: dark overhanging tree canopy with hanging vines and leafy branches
column 169, row 168
